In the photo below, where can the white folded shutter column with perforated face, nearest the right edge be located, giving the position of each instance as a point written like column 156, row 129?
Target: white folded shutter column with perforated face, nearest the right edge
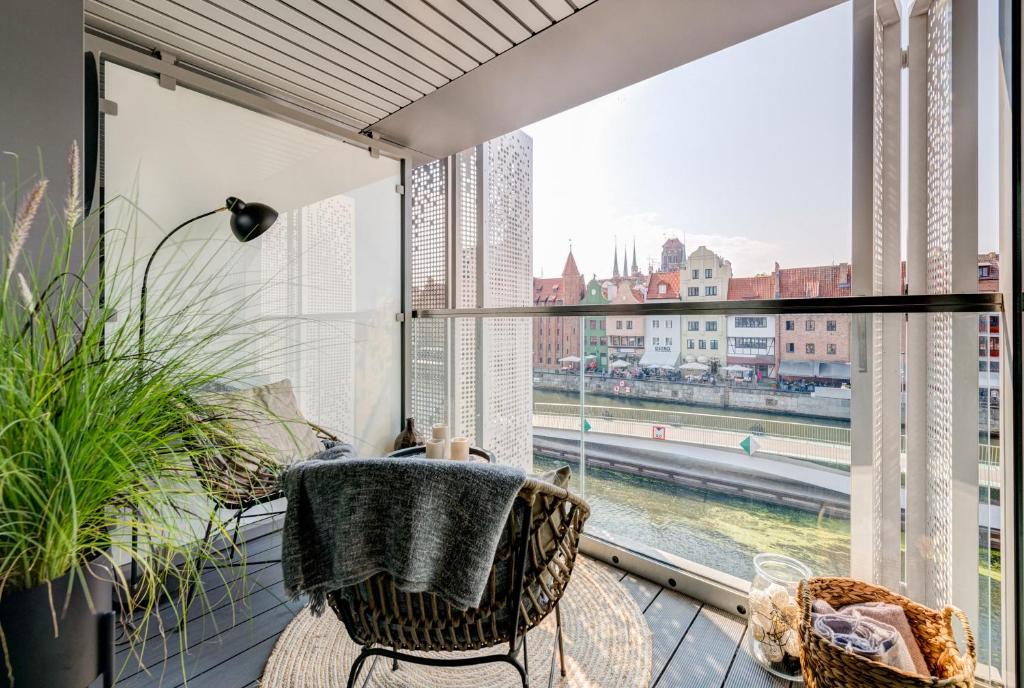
column 943, row 252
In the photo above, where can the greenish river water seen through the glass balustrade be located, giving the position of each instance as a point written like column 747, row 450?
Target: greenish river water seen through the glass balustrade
column 724, row 533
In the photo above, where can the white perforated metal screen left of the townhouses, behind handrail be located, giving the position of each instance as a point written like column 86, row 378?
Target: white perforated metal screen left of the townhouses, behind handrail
column 476, row 373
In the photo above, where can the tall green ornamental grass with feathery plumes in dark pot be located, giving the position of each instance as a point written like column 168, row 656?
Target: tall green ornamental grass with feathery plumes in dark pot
column 96, row 444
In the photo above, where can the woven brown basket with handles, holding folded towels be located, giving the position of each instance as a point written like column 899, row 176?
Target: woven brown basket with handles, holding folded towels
column 828, row 666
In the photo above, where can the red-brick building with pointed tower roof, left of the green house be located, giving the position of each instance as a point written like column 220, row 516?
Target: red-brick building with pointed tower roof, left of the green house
column 558, row 337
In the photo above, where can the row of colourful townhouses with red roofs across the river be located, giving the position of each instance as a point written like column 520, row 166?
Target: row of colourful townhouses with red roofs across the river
column 807, row 347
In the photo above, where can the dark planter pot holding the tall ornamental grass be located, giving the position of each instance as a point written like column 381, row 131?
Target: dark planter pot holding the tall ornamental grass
column 84, row 648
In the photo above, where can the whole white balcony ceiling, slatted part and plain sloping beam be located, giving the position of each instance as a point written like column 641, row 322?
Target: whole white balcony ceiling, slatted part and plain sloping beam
column 438, row 76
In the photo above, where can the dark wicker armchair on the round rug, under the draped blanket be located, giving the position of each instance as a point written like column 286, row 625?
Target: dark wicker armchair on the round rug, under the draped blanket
column 531, row 572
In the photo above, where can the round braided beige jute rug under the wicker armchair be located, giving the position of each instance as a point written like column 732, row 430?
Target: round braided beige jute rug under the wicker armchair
column 608, row 646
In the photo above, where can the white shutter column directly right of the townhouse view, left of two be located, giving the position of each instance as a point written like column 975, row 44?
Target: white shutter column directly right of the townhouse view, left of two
column 876, row 517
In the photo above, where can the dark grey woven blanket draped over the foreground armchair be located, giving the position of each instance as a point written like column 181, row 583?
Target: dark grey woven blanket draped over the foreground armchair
column 434, row 526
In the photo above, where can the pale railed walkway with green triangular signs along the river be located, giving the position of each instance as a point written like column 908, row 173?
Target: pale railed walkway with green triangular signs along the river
column 822, row 444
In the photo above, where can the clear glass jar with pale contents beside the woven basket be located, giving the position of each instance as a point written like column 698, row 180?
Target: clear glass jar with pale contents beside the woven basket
column 775, row 615
